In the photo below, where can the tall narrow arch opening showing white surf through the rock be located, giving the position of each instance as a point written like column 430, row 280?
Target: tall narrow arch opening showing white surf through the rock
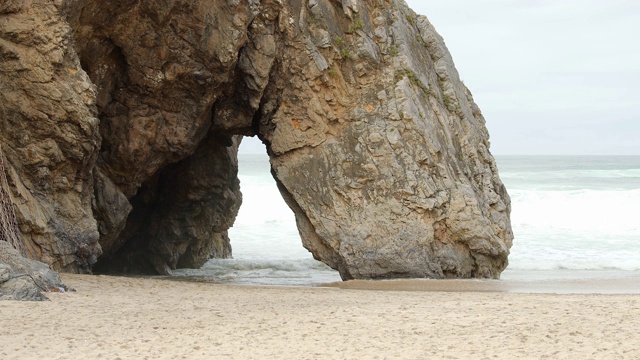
column 266, row 245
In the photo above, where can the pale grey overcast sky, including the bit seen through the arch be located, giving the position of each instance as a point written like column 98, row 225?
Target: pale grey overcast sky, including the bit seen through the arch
column 551, row 76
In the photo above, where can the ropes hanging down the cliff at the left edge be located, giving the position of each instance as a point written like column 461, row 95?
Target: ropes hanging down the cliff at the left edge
column 8, row 225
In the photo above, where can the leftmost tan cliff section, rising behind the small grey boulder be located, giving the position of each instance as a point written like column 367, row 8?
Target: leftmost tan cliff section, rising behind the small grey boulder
column 49, row 134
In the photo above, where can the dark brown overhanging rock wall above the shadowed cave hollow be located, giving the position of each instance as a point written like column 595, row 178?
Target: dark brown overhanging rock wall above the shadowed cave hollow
column 159, row 66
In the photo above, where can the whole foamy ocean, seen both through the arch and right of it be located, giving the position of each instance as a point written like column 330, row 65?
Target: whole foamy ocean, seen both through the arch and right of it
column 573, row 217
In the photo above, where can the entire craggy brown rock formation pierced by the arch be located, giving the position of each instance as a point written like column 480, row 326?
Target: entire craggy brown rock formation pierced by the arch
column 121, row 121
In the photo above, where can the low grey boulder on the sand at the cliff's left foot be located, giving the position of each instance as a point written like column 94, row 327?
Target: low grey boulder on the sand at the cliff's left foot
column 24, row 279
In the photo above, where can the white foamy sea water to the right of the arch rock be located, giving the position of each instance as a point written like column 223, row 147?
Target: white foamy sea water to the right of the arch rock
column 573, row 215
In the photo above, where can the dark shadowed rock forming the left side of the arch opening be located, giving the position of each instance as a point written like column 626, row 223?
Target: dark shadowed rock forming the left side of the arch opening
column 180, row 217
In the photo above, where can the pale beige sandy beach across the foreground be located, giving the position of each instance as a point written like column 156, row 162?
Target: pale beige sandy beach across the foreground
column 133, row 318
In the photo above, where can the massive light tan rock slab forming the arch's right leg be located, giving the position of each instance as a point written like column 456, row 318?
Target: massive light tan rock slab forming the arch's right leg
column 380, row 149
